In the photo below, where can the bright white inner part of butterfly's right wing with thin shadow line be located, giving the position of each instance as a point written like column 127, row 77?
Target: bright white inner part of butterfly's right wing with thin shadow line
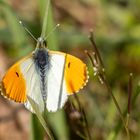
column 56, row 87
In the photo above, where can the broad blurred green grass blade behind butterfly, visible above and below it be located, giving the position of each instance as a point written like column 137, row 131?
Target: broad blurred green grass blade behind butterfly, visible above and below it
column 57, row 120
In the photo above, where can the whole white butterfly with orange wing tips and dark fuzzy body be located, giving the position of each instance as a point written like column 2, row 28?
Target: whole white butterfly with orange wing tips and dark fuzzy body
column 47, row 77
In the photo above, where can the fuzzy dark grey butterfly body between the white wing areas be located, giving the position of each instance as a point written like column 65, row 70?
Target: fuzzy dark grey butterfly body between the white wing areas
column 41, row 60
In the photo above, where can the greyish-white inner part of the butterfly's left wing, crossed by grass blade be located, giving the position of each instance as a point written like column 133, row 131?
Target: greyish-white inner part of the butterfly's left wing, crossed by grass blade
column 32, row 84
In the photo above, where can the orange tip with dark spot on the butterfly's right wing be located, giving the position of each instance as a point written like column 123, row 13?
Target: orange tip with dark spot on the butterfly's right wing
column 75, row 74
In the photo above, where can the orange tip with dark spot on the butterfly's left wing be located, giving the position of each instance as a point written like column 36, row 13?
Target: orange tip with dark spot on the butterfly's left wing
column 13, row 84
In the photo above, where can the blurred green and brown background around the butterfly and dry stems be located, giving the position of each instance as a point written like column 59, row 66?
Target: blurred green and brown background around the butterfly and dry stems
column 116, row 26
